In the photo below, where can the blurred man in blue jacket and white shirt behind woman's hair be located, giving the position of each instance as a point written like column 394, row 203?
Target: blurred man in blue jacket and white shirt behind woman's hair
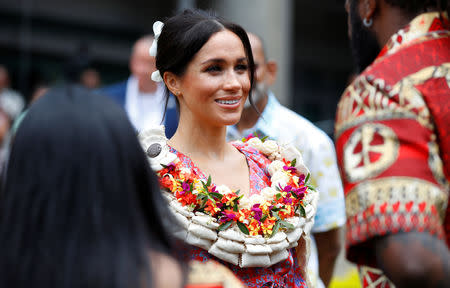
column 141, row 97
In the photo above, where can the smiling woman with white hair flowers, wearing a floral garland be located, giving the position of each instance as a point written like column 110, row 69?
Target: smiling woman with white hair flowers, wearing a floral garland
column 207, row 64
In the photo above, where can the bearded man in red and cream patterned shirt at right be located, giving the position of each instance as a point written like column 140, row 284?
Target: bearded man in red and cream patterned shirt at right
column 393, row 143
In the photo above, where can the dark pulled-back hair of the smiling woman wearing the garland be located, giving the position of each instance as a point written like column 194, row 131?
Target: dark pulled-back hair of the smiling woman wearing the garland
column 184, row 34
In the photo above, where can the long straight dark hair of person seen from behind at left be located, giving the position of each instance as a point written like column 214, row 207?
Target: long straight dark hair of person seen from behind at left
column 80, row 206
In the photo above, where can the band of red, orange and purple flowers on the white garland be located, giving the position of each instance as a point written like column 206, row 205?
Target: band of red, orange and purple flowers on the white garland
column 263, row 214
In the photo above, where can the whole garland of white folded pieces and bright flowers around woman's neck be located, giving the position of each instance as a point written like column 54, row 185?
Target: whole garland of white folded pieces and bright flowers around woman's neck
column 255, row 231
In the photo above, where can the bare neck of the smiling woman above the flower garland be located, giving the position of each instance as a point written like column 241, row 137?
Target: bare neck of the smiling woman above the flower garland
column 199, row 139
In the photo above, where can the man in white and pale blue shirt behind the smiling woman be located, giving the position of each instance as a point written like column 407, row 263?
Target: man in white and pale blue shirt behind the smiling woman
column 283, row 125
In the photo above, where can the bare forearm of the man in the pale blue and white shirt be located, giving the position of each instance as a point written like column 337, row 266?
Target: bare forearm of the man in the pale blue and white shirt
column 328, row 246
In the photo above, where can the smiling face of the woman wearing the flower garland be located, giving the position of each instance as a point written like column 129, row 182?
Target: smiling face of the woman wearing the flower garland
column 216, row 82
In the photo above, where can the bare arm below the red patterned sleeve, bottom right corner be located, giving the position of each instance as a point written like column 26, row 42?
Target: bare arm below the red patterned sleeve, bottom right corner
column 414, row 259
